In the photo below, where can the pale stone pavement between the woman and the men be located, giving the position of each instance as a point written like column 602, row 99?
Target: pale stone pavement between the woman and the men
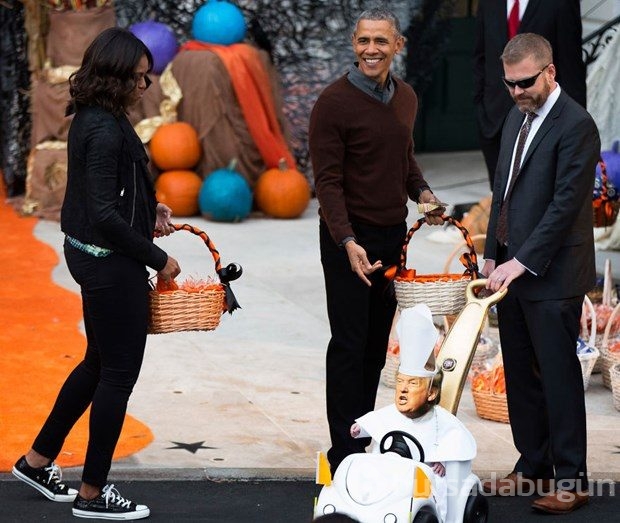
column 247, row 400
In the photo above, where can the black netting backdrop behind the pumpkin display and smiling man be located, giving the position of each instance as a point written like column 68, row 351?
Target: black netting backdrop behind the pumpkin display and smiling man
column 309, row 42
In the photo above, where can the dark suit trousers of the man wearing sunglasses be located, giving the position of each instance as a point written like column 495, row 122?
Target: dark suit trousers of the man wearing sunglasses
column 545, row 387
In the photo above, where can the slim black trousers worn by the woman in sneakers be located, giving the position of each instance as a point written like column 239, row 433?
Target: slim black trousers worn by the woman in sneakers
column 115, row 305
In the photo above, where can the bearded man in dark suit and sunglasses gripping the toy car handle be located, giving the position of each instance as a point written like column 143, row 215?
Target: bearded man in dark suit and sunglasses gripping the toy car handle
column 540, row 246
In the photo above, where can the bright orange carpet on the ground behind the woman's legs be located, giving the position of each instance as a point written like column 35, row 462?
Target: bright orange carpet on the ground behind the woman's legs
column 40, row 343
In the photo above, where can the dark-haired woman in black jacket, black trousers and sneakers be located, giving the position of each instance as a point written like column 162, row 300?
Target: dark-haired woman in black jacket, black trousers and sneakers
column 109, row 217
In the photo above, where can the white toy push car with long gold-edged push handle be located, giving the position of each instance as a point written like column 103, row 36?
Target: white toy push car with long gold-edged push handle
column 393, row 484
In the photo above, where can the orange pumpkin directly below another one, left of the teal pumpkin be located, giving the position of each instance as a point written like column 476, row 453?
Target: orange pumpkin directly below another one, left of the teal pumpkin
column 179, row 191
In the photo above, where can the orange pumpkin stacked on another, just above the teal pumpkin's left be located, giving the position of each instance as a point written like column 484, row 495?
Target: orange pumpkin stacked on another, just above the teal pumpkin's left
column 175, row 146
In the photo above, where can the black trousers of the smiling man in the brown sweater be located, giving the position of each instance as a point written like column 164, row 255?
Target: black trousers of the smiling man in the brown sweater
column 360, row 319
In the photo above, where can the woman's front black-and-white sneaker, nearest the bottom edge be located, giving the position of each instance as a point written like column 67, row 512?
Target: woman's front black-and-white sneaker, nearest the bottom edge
column 109, row 505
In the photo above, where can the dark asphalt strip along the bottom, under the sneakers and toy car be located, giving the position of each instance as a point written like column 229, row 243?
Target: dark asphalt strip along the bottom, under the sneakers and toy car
column 260, row 502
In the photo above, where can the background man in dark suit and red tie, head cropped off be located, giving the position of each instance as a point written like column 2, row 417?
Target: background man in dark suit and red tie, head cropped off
column 559, row 21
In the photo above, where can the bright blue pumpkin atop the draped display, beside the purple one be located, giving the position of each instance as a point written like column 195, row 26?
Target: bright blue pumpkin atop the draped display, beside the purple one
column 219, row 22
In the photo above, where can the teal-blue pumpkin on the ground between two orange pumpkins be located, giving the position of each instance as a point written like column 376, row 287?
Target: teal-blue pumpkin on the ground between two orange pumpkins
column 225, row 196
